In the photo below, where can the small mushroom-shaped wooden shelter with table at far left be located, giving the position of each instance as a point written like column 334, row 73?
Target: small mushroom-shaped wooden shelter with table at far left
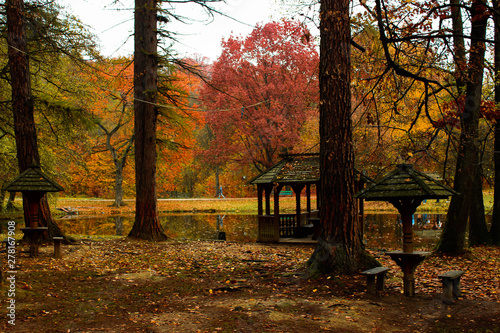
column 33, row 184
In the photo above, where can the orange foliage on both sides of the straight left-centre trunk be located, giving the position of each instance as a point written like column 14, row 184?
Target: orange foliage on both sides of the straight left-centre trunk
column 110, row 101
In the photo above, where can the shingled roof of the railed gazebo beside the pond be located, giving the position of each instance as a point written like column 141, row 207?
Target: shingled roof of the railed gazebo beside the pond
column 296, row 168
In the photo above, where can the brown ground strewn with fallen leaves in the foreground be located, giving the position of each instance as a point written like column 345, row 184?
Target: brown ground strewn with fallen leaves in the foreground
column 130, row 286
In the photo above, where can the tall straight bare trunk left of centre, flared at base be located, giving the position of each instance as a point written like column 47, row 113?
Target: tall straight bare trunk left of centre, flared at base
column 146, row 225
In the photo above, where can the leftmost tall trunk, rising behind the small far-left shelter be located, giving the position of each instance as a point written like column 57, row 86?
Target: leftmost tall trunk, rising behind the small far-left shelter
column 22, row 106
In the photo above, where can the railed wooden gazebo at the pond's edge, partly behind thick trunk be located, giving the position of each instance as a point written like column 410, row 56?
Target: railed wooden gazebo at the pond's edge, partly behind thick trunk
column 297, row 171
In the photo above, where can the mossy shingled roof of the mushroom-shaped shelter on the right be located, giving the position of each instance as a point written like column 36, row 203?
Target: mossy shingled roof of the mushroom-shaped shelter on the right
column 406, row 182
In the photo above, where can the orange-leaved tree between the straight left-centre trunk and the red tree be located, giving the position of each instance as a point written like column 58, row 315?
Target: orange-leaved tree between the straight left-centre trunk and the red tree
column 178, row 125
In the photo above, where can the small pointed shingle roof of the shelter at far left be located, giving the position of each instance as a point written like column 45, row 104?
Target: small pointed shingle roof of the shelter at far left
column 33, row 180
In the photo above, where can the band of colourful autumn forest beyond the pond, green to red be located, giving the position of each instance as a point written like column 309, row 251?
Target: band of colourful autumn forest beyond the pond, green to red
column 223, row 123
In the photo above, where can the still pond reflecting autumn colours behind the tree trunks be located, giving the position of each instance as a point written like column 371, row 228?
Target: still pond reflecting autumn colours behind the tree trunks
column 381, row 231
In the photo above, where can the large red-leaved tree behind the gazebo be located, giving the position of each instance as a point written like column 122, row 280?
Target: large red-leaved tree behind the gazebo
column 261, row 91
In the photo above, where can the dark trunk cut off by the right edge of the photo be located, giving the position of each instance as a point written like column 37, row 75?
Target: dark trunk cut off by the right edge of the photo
column 495, row 222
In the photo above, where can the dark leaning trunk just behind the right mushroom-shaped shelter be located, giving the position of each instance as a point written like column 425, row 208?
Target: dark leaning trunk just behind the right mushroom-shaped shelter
column 468, row 159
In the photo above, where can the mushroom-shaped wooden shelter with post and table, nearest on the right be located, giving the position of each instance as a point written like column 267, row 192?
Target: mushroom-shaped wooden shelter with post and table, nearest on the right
column 406, row 188
